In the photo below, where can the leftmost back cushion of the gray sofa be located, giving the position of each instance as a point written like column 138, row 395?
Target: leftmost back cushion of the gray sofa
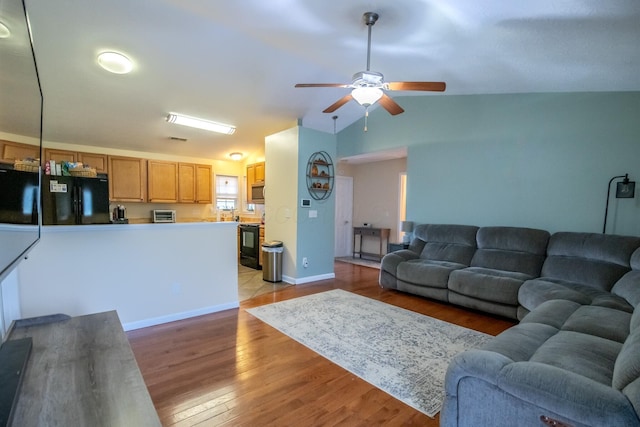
column 445, row 242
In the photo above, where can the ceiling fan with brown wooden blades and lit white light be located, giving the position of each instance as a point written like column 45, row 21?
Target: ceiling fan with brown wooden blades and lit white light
column 368, row 86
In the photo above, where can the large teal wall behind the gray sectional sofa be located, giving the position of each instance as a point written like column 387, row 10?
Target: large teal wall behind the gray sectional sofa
column 533, row 160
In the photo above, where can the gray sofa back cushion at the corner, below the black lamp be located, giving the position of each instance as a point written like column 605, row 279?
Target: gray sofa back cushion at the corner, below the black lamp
column 596, row 260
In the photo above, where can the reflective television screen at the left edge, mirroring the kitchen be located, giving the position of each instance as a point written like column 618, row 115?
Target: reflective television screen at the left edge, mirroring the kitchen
column 20, row 122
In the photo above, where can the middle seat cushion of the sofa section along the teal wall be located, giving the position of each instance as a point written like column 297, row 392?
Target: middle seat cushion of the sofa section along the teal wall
column 488, row 284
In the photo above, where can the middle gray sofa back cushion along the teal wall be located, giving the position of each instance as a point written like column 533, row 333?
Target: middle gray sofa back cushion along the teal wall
column 511, row 248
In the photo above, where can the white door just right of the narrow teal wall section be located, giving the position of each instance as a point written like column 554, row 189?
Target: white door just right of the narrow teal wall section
column 344, row 216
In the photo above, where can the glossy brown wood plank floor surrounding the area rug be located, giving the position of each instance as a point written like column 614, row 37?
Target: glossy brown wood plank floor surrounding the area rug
column 231, row 369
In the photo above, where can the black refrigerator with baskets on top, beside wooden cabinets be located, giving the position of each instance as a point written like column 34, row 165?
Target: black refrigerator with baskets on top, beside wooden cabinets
column 69, row 200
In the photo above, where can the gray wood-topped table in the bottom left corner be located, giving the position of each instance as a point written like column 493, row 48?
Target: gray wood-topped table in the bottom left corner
column 81, row 372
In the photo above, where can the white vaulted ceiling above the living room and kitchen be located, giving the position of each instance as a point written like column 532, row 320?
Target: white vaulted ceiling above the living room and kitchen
column 237, row 62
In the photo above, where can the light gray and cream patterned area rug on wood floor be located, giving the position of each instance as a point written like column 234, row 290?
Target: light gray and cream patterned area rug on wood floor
column 401, row 352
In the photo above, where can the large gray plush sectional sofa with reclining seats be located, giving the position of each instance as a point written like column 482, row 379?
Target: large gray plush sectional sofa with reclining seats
column 574, row 358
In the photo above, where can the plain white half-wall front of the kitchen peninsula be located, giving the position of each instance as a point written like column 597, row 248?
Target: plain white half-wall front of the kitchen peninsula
column 149, row 273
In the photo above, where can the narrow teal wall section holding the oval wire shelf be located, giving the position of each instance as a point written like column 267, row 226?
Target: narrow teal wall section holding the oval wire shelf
column 315, row 235
